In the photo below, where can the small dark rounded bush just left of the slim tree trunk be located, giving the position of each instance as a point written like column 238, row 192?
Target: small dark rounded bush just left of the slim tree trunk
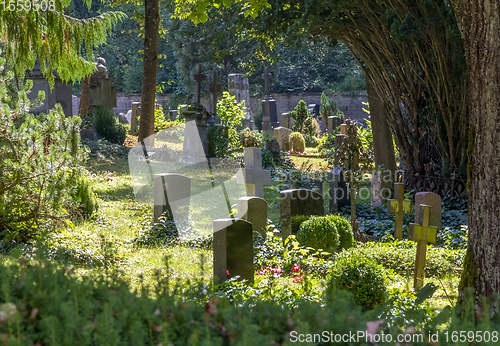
column 107, row 126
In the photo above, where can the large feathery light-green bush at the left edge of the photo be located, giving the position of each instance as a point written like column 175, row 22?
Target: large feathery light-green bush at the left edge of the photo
column 40, row 161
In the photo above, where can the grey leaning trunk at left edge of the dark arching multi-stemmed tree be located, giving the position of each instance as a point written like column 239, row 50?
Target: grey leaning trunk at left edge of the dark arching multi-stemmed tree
column 383, row 148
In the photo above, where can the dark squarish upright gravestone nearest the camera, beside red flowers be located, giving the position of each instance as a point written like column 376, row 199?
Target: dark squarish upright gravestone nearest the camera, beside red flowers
column 233, row 250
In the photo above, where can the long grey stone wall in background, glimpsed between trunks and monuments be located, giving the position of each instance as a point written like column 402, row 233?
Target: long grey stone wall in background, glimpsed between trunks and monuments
column 350, row 104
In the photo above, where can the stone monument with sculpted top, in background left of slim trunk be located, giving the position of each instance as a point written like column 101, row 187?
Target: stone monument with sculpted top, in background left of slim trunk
column 101, row 89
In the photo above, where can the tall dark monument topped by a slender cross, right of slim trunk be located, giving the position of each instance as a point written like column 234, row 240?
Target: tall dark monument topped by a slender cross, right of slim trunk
column 195, row 147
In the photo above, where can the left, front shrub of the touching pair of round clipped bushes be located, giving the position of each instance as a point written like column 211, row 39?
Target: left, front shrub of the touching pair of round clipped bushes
column 319, row 232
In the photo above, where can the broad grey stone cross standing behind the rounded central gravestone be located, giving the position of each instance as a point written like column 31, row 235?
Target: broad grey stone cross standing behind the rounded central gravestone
column 253, row 176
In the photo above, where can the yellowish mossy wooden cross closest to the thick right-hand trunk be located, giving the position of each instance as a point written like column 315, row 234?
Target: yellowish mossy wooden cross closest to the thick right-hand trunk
column 422, row 234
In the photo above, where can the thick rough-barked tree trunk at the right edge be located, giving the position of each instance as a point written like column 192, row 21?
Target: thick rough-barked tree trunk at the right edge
column 479, row 22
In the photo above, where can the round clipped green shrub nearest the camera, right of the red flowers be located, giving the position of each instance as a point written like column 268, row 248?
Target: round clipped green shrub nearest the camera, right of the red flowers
column 360, row 276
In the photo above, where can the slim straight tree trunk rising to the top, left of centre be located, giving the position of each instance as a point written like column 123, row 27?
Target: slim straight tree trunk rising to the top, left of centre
column 152, row 21
